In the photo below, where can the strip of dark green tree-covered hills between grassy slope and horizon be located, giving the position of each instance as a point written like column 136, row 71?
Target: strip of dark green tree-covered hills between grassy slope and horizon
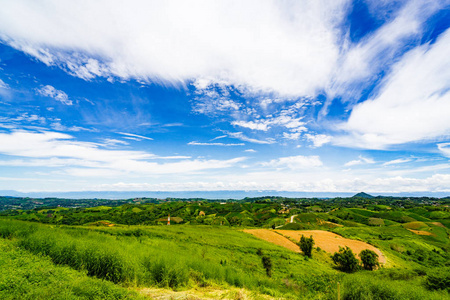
column 261, row 212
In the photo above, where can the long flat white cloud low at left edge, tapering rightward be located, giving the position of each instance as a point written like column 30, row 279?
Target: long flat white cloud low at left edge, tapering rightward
column 51, row 149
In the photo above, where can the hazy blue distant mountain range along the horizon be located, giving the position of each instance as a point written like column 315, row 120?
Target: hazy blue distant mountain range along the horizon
column 201, row 194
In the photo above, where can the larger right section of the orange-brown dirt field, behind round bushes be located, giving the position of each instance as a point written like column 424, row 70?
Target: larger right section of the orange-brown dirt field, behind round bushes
column 330, row 242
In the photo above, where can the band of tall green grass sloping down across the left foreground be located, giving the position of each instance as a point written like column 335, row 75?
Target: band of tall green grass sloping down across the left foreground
column 130, row 259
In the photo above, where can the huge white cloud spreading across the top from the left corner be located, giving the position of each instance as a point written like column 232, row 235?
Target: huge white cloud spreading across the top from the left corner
column 286, row 47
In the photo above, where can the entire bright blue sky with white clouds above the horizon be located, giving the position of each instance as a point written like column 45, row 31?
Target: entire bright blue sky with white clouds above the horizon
column 311, row 96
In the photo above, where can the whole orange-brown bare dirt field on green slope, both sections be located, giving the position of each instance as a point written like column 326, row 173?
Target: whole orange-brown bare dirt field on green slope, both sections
column 326, row 240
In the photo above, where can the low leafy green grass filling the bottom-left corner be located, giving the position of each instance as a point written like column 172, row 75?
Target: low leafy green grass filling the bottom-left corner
column 27, row 276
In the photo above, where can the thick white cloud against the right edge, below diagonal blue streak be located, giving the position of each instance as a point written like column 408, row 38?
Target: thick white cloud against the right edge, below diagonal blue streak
column 412, row 105
